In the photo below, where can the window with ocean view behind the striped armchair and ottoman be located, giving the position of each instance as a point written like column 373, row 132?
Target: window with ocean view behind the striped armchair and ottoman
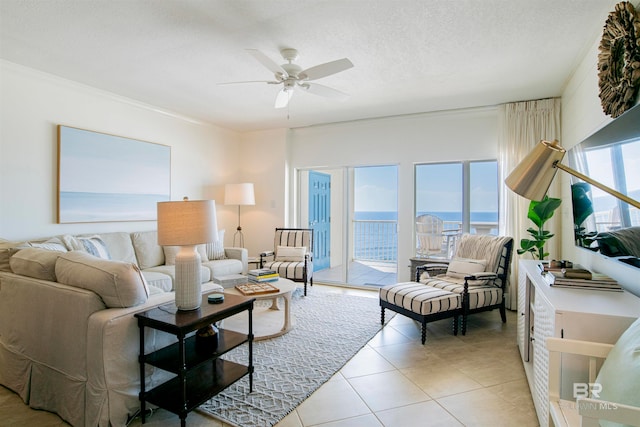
column 463, row 194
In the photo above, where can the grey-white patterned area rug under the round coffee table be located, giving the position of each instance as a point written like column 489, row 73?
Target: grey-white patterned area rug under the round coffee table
column 330, row 328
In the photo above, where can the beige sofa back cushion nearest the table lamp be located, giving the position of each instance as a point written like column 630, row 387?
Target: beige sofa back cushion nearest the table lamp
column 118, row 283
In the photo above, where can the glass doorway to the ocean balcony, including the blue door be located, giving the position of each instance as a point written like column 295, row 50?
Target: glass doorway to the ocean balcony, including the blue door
column 353, row 212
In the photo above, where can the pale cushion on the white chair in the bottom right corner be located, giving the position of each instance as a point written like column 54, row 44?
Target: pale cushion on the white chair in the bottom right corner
column 620, row 372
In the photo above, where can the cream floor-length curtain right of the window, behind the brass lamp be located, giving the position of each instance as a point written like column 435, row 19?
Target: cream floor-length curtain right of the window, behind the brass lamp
column 521, row 126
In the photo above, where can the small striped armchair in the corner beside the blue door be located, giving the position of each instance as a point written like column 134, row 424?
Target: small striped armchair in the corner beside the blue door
column 292, row 255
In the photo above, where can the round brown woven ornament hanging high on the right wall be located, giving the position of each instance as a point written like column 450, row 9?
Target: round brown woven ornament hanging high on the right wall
column 619, row 60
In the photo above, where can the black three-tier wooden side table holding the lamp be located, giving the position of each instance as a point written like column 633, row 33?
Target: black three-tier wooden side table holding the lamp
column 200, row 375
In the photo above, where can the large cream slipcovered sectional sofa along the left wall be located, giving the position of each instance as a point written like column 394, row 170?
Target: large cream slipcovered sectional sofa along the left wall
column 72, row 348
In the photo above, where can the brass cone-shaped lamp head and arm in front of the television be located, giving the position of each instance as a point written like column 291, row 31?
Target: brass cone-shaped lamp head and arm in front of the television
column 533, row 175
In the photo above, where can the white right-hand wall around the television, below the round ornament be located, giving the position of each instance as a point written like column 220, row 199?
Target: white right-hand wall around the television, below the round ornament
column 582, row 115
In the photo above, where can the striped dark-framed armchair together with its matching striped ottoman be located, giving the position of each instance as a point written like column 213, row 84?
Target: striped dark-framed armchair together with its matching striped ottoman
column 474, row 280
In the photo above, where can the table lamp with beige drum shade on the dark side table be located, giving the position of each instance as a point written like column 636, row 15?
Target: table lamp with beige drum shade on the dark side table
column 187, row 224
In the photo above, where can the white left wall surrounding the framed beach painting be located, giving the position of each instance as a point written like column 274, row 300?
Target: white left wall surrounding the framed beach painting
column 32, row 104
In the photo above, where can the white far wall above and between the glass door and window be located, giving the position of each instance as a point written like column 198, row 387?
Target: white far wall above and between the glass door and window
column 402, row 141
